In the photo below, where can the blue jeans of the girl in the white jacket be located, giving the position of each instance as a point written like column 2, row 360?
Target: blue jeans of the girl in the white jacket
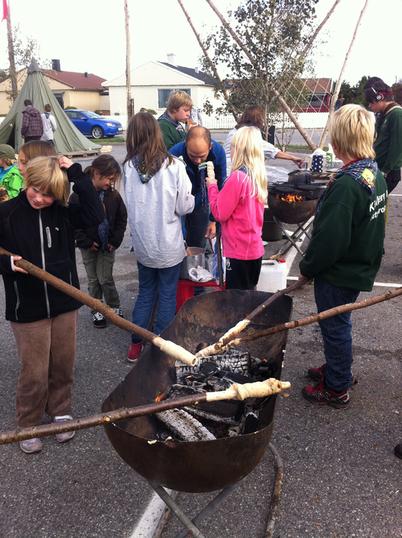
column 155, row 285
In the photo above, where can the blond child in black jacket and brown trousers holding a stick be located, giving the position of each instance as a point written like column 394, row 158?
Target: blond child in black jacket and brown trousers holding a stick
column 38, row 225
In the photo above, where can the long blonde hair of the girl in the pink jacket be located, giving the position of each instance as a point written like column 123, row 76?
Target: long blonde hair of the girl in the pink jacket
column 247, row 145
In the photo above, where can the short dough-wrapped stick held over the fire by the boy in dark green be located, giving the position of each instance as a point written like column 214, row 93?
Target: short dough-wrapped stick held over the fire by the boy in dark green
column 233, row 332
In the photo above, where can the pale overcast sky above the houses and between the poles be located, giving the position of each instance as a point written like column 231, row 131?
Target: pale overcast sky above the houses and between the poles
column 88, row 35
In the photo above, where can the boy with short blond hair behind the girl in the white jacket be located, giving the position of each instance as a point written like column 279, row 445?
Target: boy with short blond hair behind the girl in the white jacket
column 178, row 111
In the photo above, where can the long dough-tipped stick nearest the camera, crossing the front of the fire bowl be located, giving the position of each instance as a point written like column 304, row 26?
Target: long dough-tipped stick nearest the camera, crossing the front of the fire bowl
column 235, row 392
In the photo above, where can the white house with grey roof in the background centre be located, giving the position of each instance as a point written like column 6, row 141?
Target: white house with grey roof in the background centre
column 151, row 84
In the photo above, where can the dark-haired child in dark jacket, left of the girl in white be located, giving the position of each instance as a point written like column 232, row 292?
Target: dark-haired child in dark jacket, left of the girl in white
column 98, row 243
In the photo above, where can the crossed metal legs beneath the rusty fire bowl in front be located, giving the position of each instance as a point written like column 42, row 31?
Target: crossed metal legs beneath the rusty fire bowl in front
column 208, row 510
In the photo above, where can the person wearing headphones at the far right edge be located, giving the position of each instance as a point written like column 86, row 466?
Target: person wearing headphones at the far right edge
column 388, row 142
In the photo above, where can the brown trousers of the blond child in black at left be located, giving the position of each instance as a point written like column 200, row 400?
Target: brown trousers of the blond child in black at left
column 46, row 349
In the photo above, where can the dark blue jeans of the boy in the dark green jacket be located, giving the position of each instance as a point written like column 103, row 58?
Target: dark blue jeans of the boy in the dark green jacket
column 336, row 333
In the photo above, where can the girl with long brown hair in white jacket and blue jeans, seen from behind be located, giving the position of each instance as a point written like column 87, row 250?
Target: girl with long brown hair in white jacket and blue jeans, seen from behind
column 158, row 193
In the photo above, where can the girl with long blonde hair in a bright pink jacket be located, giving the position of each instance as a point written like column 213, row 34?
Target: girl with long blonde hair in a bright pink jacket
column 239, row 207
